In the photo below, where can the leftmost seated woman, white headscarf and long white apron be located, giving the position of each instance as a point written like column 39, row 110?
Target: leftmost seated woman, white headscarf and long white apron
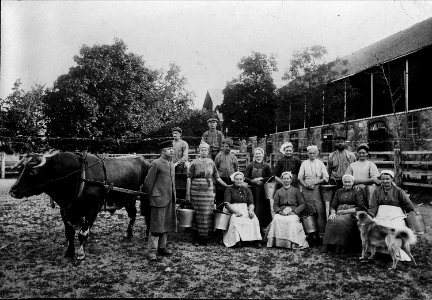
column 243, row 225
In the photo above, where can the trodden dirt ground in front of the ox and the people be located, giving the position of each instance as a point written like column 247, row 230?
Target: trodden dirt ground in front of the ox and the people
column 32, row 245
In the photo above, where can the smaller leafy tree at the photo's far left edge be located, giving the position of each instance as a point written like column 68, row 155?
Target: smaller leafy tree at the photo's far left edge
column 22, row 111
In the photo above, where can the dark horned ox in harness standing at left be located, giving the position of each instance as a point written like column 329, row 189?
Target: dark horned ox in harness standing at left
column 82, row 184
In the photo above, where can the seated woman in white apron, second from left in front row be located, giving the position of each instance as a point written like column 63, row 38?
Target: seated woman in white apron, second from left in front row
column 286, row 230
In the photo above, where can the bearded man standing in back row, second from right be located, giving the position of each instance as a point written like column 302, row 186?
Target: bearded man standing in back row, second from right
column 339, row 161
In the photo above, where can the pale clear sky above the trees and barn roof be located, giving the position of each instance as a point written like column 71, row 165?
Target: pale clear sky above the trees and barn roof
column 206, row 39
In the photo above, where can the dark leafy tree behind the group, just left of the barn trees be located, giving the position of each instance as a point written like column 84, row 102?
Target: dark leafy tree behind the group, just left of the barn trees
column 249, row 101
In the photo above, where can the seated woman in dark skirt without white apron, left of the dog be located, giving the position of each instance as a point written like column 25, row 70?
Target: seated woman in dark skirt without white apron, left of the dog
column 341, row 229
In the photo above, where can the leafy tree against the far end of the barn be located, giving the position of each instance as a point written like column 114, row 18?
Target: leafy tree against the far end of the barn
column 310, row 96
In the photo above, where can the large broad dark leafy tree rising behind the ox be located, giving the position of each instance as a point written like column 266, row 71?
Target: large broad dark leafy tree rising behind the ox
column 112, row 93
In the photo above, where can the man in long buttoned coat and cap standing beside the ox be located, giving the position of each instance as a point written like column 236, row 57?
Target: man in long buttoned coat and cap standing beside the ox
column 160, row 188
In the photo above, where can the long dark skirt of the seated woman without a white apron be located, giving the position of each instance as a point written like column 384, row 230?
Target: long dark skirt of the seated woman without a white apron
column 343, row 231
